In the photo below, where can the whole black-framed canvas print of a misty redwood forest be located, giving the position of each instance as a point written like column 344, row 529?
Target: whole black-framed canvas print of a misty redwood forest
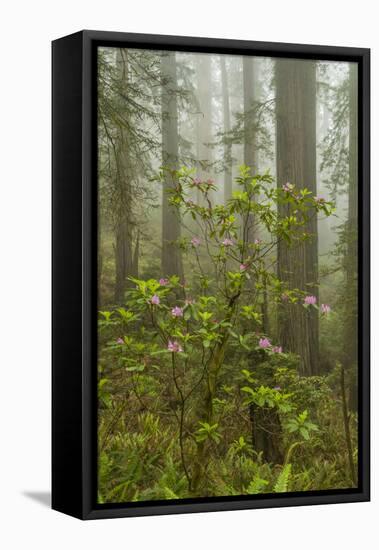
column 210, row 274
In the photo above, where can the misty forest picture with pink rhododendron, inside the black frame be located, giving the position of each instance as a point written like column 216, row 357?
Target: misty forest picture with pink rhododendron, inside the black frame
column 227, row 275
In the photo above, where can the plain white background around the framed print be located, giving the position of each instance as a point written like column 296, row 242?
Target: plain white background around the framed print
column 26, row 31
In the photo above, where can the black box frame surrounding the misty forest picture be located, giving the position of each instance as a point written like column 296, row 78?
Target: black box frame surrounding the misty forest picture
column 74, row 205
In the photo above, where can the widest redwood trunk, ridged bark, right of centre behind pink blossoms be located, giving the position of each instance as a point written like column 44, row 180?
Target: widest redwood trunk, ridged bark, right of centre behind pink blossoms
column 298, row 328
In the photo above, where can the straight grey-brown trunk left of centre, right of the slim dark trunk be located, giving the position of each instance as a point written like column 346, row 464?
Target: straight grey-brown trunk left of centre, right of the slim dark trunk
column 171, row 255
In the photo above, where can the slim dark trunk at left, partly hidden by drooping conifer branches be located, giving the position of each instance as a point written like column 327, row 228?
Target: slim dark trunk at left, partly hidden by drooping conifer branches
column 123, row 228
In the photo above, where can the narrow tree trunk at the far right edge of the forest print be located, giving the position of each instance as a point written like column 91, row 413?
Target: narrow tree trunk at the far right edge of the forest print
column 351, row 260
